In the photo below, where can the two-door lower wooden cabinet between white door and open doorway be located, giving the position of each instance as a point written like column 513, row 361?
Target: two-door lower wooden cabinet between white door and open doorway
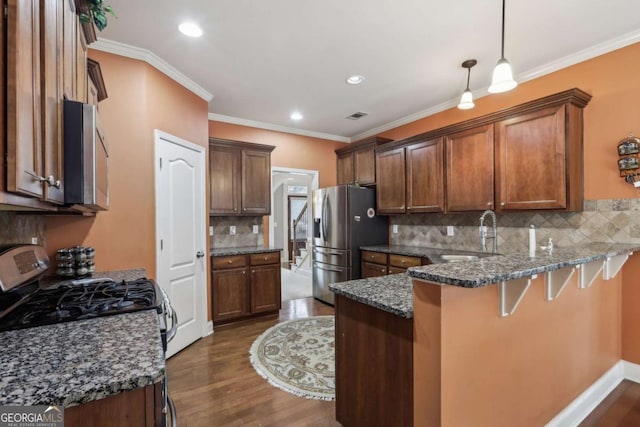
column 245, row 285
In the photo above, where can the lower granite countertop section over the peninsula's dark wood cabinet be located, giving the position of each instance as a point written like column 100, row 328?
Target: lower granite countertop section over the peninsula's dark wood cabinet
column 393, row 293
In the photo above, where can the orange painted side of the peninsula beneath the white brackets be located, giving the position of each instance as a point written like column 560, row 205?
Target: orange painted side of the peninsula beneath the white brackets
column 473, row 367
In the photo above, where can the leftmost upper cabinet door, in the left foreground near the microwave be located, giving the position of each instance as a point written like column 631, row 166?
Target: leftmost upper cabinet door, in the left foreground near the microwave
column 24, row 135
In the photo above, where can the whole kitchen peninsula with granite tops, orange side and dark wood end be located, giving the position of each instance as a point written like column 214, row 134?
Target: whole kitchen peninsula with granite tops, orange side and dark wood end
column 500, row 341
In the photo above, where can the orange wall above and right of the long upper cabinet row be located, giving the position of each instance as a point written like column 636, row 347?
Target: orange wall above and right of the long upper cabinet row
column 614, row 111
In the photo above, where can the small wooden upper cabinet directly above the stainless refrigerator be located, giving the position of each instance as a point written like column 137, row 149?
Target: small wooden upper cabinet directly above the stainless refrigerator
column 356, row 164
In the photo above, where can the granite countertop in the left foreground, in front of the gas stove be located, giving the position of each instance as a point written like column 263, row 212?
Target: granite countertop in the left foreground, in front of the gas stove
column 78, row 362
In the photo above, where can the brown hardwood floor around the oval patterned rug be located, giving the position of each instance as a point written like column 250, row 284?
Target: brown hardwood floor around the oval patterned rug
column 213, row 383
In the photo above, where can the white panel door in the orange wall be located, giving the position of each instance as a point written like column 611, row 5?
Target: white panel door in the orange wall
column 180, row 234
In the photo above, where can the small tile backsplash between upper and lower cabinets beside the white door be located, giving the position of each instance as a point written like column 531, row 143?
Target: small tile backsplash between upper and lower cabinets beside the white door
column 244, row 231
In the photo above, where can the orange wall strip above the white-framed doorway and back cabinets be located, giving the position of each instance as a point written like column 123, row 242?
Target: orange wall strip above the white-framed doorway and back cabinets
column 292, row 151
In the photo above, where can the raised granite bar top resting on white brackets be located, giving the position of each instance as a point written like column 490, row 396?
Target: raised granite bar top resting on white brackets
column 492, row 269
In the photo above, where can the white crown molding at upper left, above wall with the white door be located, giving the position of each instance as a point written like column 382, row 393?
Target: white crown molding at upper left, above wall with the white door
column 154, row 60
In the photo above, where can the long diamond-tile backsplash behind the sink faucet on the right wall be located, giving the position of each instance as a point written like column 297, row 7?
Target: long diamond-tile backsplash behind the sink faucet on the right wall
column 609, row 220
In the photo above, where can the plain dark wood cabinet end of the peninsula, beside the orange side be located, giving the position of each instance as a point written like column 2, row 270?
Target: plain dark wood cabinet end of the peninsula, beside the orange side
column 374, row 366
